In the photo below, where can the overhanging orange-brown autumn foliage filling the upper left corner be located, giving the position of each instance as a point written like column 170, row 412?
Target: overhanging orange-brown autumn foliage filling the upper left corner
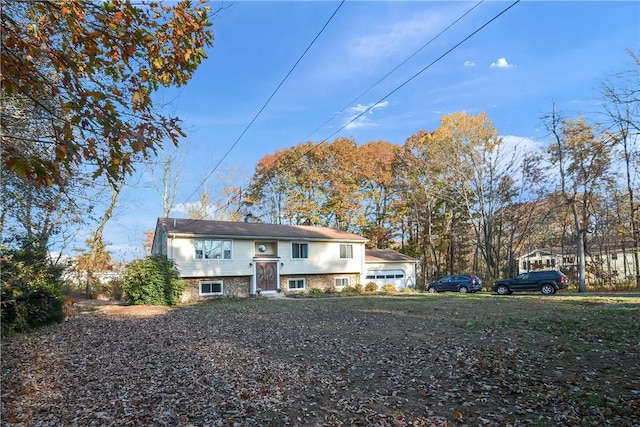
column 96, row 65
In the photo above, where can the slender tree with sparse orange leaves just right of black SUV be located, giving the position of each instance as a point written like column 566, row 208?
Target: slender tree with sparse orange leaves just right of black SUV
column 581, row 157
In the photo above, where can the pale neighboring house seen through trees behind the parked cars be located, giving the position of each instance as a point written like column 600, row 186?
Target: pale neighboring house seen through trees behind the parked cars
column 612, row 264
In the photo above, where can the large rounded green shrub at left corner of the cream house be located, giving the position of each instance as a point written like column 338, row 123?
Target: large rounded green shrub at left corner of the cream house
column 153, row 280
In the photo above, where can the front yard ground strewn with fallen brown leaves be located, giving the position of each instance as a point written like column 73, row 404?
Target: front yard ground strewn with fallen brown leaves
column 422, row 360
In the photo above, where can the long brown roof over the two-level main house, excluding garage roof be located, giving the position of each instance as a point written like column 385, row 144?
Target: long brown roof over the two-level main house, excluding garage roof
column 253, row 230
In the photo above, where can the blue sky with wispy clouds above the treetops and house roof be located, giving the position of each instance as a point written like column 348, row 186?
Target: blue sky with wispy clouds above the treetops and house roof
column 536, row 54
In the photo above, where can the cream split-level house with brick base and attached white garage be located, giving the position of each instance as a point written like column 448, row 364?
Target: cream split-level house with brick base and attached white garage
column 225, row 258
